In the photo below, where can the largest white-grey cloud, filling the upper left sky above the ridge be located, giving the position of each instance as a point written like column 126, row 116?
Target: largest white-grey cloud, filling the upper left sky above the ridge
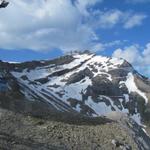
column 45, row 25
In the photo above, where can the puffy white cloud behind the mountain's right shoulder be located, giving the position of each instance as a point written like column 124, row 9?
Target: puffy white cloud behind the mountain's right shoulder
column 136, row 56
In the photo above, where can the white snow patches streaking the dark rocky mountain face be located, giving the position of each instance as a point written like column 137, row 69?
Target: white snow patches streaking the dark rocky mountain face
column 56, row 86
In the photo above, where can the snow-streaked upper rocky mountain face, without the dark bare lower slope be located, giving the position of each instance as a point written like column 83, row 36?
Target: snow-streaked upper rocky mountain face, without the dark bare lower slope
column 83, row 82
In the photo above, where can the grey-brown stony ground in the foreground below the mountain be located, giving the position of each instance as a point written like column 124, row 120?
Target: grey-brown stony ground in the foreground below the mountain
column 23, row 132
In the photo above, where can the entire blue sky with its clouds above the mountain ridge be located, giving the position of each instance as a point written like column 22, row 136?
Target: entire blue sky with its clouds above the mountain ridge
column 35, row 30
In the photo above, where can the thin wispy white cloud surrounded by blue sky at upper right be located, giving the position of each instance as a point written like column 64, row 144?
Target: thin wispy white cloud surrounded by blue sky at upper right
column 111, row 18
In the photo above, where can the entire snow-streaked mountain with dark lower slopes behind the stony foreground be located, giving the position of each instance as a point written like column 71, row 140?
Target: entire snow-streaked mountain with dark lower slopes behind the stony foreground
column 81, row 85
